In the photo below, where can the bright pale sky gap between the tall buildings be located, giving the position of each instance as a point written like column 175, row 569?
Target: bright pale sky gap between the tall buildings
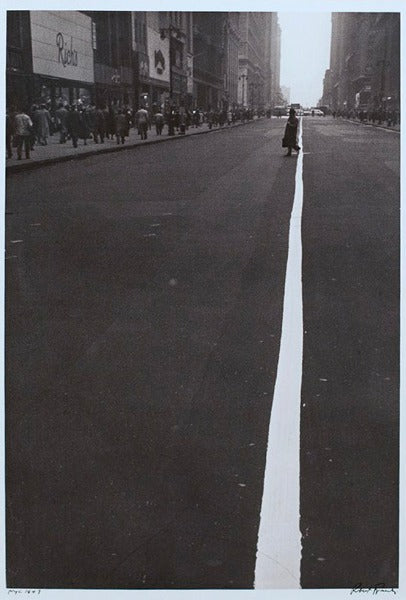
column 305, row 54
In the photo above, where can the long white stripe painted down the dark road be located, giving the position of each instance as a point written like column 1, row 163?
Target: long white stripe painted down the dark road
column 279, row 540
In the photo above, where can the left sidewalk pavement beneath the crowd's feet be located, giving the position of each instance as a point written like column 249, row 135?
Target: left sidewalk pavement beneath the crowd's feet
column 55, row 152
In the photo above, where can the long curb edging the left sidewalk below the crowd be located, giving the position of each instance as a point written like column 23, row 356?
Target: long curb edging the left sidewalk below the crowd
column 29, row 166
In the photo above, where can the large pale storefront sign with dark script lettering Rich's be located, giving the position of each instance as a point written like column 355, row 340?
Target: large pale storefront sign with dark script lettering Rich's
column 62, row 45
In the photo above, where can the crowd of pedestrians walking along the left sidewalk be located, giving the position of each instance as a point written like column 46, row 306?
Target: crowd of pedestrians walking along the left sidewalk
column 79, row 124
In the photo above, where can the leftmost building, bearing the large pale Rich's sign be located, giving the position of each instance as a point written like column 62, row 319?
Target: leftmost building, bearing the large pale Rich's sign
column 50, row 57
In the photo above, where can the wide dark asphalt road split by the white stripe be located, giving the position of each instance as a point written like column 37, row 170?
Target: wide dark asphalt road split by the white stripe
column 144, row 299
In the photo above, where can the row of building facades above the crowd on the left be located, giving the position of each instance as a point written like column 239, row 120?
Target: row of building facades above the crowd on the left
column 210, row 60
